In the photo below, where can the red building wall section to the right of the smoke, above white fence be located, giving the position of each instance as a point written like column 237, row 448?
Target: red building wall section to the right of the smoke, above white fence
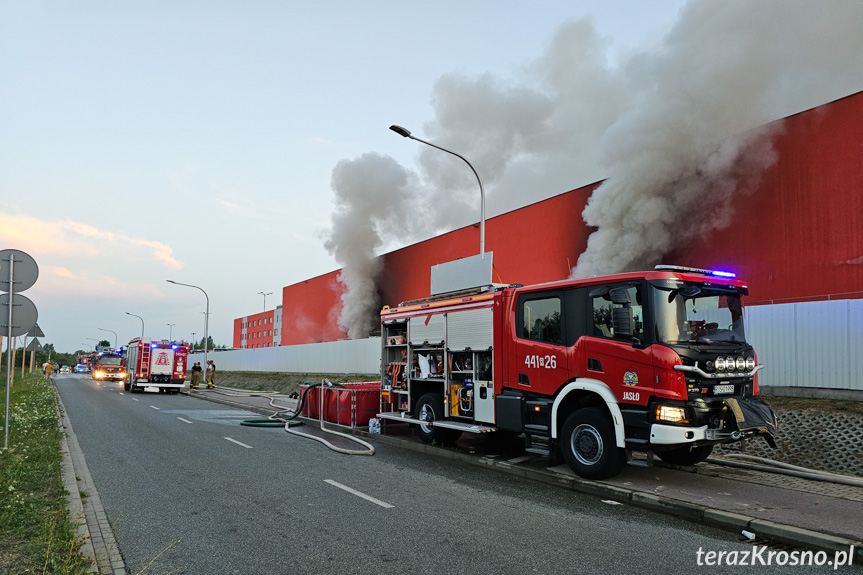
column 799, row 237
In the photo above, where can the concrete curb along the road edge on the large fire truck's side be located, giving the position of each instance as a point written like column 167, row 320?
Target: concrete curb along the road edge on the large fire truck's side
column 788, row 534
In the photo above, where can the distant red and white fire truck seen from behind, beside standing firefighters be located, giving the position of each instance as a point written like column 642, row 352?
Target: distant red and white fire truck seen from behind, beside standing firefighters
column 155, row 364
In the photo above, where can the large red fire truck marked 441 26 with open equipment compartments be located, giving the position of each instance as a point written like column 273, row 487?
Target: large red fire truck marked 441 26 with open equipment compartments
column 598, row 369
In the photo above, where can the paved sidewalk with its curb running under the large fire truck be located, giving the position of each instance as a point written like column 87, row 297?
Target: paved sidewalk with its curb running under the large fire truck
column 779, row 508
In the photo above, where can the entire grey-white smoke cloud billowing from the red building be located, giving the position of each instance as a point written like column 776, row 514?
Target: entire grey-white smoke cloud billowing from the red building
column 677, row 129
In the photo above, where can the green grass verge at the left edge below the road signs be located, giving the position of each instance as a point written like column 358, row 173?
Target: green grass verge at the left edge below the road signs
column 36, row 535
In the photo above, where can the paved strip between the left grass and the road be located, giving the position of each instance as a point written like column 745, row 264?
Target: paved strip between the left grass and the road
column 98, row 544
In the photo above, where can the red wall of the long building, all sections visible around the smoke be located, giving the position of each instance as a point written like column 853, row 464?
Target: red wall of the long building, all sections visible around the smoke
column 797, row 237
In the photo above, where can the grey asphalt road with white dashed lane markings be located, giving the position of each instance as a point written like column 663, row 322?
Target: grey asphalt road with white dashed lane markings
column 189, row 490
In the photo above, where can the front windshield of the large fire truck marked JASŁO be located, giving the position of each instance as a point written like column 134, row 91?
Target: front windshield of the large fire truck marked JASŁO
column 697, row 314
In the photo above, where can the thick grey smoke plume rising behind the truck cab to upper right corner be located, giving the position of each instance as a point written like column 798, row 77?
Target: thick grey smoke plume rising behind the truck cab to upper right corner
column 698, row 132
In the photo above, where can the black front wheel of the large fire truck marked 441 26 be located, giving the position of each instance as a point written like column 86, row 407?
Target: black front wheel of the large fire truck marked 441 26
column 588, row 444
